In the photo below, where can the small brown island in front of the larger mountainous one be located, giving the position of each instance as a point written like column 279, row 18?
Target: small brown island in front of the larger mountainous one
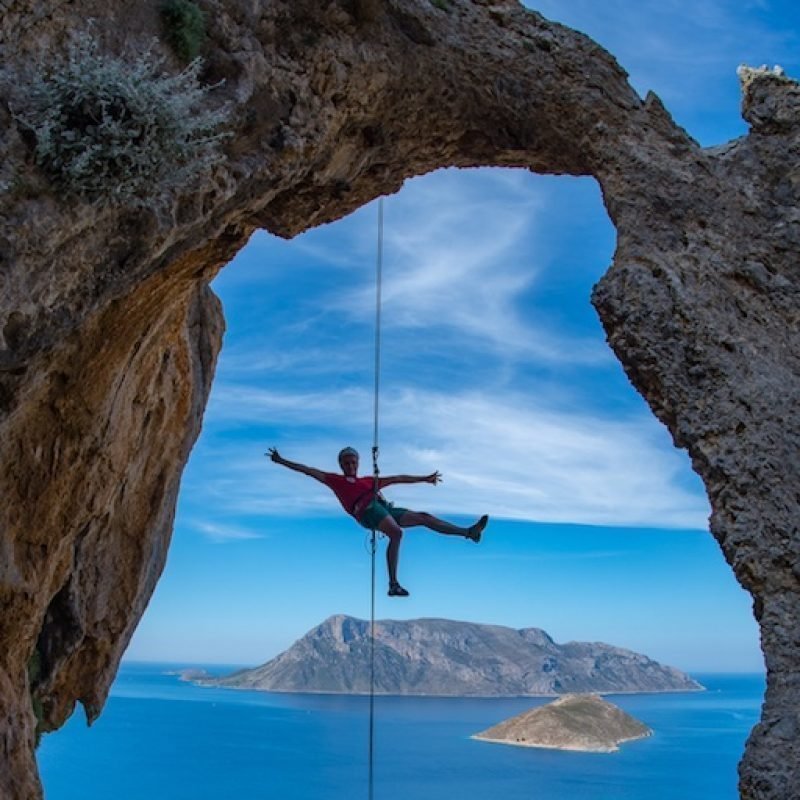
column 583, row 722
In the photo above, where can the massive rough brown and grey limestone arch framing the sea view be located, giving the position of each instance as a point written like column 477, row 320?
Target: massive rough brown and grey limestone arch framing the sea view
column 109, row 334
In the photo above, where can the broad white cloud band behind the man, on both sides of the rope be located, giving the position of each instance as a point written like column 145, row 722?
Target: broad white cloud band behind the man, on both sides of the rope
column 511, row 457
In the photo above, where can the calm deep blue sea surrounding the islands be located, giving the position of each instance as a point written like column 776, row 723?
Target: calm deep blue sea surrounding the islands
column 162, row 739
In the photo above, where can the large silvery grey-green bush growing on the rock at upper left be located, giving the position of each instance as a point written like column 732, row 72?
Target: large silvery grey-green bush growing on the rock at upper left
column 120, row 131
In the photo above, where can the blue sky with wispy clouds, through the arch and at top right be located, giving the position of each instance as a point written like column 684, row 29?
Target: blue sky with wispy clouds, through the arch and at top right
column 496, row 373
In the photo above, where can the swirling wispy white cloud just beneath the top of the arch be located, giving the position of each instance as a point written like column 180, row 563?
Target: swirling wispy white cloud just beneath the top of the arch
column 460, row 263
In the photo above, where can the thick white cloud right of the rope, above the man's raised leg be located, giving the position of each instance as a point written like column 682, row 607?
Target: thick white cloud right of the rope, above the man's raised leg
column 526, row 461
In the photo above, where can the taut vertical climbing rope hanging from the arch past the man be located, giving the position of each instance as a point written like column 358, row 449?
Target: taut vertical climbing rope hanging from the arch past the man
column 375, row 487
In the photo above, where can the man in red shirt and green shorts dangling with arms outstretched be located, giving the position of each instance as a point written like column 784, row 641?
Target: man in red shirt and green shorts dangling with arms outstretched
column 371, row 510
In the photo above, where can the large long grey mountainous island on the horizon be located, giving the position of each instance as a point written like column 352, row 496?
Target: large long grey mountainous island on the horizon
column 447, row 658
